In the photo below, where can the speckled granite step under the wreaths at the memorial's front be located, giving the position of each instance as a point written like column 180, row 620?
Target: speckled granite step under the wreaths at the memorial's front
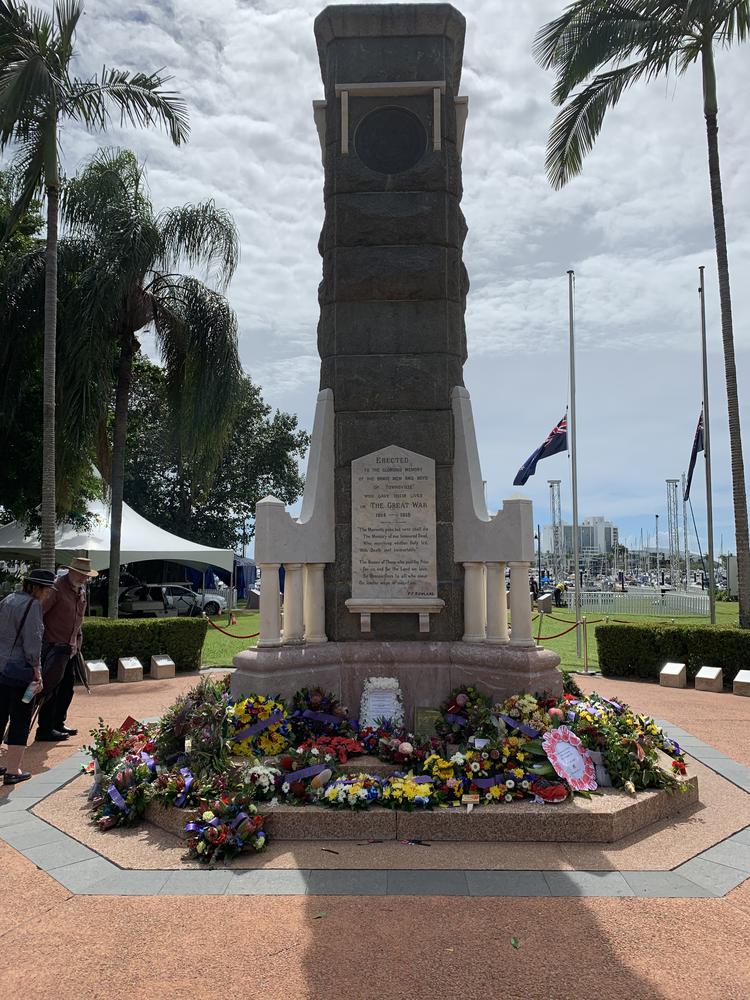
column 602, row 819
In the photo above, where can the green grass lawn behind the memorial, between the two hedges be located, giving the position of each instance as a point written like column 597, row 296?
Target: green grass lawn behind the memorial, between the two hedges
column 219, row 649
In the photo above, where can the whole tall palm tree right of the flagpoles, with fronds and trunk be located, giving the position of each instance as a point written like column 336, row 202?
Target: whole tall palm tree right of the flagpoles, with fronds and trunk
column 609, row 45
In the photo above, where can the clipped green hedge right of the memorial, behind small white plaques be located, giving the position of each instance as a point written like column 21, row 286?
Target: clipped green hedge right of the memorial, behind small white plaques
column 642, row 650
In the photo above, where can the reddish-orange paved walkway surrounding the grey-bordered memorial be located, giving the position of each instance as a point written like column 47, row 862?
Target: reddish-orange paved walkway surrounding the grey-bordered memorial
column 346, row 945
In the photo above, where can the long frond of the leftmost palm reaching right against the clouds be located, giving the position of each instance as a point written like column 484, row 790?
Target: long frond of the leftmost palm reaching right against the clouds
column 140, row 98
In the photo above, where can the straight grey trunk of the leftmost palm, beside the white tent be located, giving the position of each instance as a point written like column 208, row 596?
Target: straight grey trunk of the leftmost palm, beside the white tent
column 49, row 511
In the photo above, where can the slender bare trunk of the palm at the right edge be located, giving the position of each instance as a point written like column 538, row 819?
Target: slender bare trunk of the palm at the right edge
column 727, row 336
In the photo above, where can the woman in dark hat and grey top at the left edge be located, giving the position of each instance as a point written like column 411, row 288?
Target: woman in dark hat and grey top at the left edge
column 21, row 629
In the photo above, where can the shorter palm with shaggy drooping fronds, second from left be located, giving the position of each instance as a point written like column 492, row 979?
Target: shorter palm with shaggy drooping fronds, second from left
column 131, row 282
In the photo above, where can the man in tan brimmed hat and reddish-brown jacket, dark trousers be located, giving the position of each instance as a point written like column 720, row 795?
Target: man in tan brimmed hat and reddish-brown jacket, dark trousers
column 63, row 615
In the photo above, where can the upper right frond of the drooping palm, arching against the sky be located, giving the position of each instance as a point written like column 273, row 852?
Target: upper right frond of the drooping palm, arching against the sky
column 200, row 235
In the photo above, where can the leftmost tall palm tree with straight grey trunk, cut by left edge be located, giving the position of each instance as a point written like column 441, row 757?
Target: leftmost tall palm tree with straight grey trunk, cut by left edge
column 37, row 95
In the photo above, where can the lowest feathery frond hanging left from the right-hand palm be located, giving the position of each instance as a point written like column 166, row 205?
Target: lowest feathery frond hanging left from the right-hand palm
column 574, row 130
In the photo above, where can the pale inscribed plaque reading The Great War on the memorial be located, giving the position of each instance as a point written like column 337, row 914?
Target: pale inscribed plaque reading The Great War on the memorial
column 393, row 525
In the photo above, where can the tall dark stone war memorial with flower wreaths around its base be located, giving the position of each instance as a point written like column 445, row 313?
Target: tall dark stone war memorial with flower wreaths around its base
column 399, row 694
